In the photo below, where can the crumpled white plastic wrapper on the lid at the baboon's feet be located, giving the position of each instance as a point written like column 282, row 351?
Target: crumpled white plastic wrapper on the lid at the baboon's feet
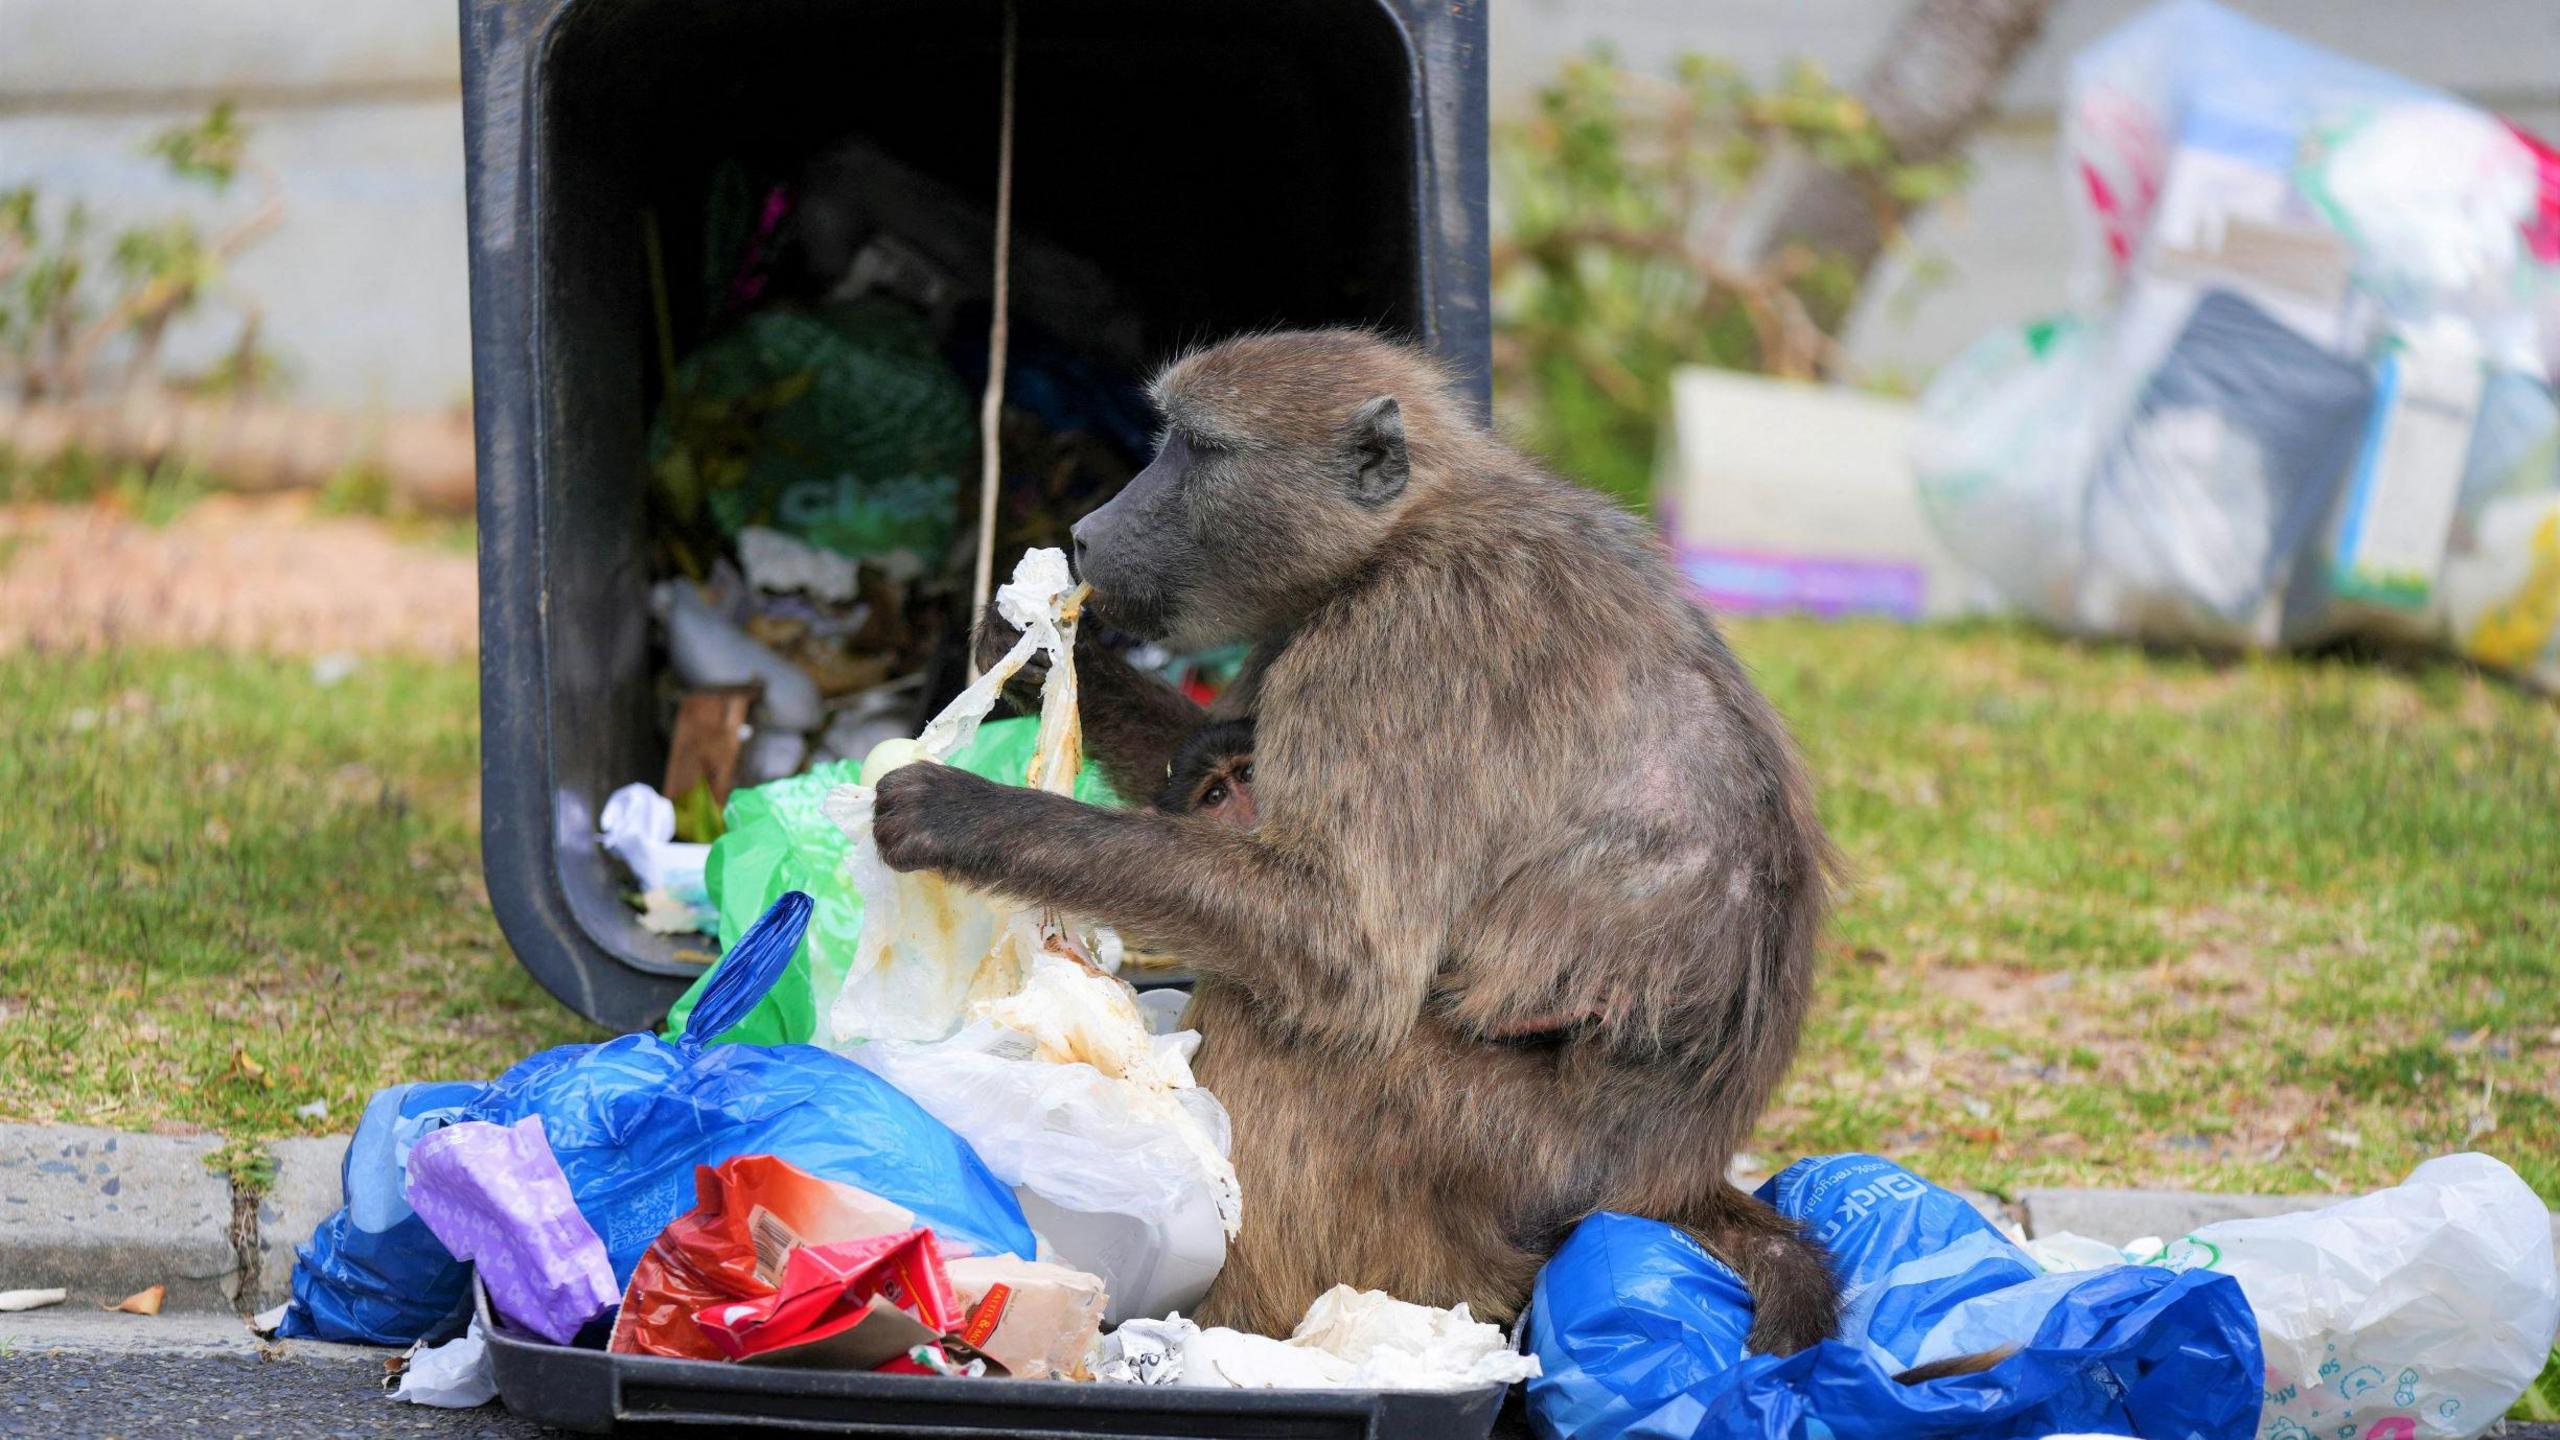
column 1350, row 1339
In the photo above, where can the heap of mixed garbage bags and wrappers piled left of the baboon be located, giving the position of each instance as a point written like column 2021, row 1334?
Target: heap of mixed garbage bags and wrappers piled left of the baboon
column 995, row 1154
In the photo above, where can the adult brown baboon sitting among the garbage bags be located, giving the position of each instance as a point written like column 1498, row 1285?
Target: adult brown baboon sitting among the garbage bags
column 1504, row 773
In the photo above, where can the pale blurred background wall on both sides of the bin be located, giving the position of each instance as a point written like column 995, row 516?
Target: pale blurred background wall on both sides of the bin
column 357, row 106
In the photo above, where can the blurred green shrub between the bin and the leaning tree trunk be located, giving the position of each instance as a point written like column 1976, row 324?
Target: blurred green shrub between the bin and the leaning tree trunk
column 1622, row 252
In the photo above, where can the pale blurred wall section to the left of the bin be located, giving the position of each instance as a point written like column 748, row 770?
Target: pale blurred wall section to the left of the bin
column 355, row 104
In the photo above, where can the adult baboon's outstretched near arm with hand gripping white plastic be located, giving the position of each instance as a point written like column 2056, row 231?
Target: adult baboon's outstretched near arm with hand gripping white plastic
column 1284, row 921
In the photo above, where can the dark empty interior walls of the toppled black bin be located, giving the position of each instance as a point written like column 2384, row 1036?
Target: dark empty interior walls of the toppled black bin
column 1225, row 165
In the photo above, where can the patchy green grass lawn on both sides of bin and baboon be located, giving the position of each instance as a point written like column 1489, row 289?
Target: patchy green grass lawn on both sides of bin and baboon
column 2113, row 921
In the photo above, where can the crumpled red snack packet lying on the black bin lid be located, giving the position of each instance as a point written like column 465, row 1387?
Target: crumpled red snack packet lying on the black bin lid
column 749, row 1216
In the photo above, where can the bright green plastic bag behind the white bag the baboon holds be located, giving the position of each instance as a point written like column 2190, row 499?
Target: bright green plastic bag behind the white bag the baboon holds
column 780, row 842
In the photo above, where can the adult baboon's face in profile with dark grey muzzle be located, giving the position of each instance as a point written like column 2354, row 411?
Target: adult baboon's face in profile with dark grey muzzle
column 1233, row 534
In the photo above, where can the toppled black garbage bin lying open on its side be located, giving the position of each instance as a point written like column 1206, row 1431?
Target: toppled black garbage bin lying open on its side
column 1228, row 163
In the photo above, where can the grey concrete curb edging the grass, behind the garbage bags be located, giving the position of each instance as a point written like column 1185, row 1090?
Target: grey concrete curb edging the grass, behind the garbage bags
column 104, row 1216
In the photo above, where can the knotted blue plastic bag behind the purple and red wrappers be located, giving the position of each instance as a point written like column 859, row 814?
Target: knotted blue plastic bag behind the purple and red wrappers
column 631, row 1121
